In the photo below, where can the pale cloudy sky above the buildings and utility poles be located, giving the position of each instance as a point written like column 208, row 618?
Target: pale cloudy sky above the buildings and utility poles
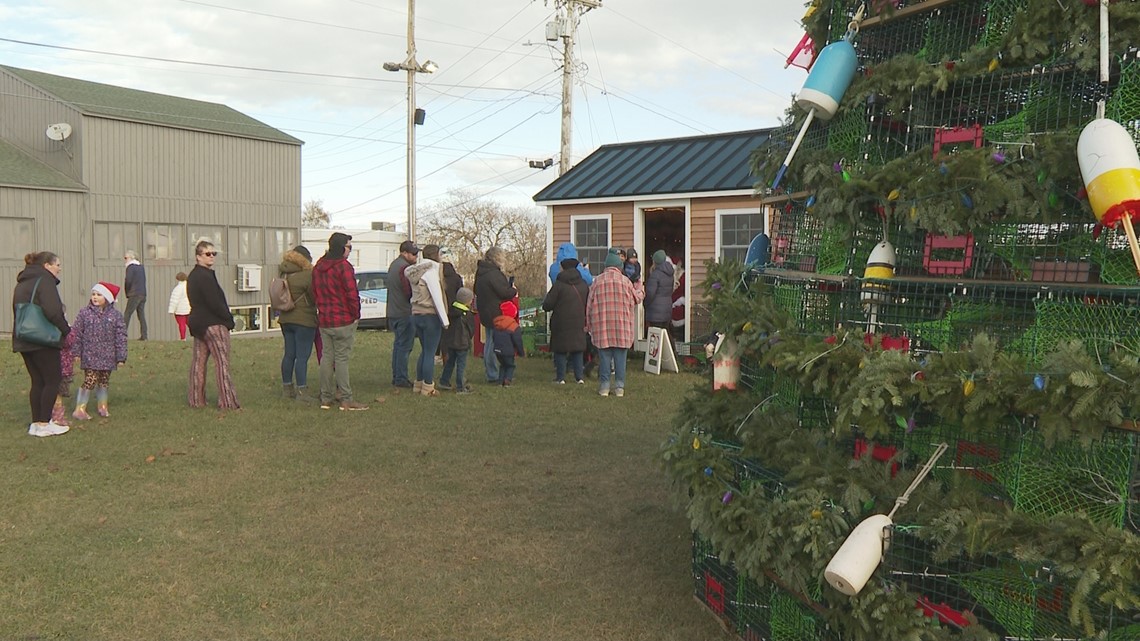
column 646, row 70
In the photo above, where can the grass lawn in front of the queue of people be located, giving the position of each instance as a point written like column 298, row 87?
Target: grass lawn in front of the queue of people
column 536, row 512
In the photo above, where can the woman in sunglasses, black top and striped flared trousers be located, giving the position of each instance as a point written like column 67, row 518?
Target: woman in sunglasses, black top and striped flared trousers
column 210, row 326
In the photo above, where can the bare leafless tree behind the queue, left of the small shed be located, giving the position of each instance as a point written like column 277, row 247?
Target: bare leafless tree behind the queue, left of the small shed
column 469, row 225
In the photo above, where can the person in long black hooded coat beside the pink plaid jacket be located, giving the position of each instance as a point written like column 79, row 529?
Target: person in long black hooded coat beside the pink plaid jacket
column 567, row 304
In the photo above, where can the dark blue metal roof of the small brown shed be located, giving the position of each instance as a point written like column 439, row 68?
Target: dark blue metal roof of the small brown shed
column 674, row 166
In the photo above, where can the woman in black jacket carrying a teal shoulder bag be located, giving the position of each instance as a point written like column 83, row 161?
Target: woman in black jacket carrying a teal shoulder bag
column 42, row 277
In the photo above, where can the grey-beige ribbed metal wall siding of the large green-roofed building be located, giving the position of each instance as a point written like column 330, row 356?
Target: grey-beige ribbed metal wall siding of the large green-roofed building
column 150, row 175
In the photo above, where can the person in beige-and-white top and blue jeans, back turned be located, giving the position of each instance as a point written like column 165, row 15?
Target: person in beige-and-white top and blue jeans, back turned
column 429, row 315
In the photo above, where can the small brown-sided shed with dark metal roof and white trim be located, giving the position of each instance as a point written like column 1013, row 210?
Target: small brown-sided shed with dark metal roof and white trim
column 694, row 198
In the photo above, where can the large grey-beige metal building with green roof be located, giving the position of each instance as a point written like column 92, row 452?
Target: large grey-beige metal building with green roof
column 91, row 171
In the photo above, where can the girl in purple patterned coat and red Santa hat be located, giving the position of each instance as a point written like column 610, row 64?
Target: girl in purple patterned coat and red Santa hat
column 101, row 345
